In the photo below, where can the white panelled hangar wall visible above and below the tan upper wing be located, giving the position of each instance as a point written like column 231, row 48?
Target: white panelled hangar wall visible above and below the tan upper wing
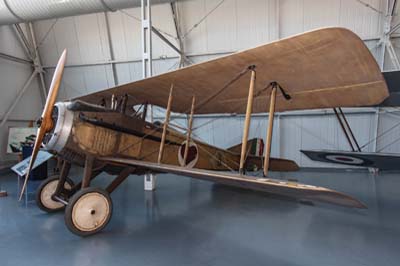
column 235, row 25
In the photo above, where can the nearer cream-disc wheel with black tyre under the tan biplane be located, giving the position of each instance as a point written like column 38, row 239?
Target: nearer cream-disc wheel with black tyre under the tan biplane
column 88, row 211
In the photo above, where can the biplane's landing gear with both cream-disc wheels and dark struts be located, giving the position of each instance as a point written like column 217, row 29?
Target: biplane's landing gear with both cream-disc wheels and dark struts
column 87, row 209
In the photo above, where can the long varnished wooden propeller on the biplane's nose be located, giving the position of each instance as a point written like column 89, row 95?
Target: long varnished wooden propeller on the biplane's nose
column 46, row 123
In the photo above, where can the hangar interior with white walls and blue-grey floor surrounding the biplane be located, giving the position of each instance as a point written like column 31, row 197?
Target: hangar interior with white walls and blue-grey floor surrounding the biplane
column 185, row 221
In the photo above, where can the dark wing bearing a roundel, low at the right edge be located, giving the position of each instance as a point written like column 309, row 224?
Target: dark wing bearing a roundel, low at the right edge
column 384, row 161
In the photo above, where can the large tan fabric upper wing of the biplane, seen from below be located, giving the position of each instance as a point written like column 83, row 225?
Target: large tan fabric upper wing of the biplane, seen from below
column 320, row 69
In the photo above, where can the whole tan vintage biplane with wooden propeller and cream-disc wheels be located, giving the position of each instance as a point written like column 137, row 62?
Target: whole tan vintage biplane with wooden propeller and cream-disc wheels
column 104, row 131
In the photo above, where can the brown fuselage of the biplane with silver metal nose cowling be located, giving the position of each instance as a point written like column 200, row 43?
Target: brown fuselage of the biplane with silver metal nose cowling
column 100, row 134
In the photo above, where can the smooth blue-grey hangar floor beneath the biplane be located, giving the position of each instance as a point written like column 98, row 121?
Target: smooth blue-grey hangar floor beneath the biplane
column 191, row 222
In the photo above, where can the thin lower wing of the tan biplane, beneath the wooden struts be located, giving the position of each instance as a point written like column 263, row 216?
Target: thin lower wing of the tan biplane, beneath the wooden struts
column 291, row 189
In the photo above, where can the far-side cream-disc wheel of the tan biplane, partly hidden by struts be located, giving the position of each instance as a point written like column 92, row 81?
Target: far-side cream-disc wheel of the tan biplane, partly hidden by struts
column 45, row 192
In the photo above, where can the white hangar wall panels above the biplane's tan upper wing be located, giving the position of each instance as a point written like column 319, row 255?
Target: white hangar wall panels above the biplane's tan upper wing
column 235, row 25
